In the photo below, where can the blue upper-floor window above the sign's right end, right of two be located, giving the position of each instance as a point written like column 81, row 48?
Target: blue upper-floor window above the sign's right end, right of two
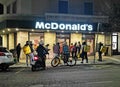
column 88, row 8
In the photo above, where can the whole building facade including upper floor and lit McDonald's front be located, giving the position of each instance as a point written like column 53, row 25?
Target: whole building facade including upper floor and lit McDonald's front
column 54, row 21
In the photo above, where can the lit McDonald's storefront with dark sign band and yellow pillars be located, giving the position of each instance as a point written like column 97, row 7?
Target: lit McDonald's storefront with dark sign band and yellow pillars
column 50, row 32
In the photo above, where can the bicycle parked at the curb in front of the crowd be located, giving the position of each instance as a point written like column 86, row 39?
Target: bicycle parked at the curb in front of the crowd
column 57, row 60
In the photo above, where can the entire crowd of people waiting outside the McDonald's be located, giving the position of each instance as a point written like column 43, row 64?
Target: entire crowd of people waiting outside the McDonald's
column 76, row 50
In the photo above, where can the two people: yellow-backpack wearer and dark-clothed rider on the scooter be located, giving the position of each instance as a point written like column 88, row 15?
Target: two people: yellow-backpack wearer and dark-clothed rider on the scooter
column 41, row 52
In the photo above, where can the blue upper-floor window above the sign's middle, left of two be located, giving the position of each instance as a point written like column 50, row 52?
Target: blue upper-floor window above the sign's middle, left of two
column 63, row 6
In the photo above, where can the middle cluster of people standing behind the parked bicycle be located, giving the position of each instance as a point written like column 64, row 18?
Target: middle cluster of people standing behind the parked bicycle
column 74, row 50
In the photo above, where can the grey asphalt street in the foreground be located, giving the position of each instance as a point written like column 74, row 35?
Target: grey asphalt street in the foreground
column 63, row 76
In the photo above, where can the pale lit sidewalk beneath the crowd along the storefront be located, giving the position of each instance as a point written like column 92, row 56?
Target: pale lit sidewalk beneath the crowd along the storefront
column 92, row 60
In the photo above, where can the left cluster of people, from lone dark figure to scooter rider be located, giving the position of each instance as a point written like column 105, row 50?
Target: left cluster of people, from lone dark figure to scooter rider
column 29, row 52
